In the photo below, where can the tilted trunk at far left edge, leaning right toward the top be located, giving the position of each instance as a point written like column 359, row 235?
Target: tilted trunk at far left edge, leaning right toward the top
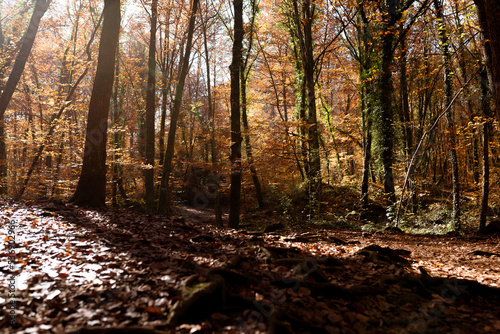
column 41, row 7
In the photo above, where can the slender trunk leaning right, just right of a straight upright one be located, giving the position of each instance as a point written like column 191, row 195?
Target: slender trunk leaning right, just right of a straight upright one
column 164, row 202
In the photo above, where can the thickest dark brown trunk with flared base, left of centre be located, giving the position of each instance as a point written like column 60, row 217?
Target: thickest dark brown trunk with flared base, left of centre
column 91, row 188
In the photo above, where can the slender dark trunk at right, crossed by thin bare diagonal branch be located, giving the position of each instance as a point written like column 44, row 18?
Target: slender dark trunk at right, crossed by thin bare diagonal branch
column 443, row 36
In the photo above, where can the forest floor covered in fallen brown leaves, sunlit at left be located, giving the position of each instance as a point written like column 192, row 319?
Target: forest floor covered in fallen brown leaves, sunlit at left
column 118, row 271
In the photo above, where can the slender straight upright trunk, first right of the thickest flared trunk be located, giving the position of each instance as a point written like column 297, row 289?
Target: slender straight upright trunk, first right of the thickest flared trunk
column 151, row 113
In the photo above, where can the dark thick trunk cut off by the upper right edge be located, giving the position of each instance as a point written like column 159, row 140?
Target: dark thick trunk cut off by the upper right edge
column 489, row 12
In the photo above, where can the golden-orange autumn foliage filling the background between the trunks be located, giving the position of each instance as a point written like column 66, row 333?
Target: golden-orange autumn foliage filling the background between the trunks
column 347, row 48
